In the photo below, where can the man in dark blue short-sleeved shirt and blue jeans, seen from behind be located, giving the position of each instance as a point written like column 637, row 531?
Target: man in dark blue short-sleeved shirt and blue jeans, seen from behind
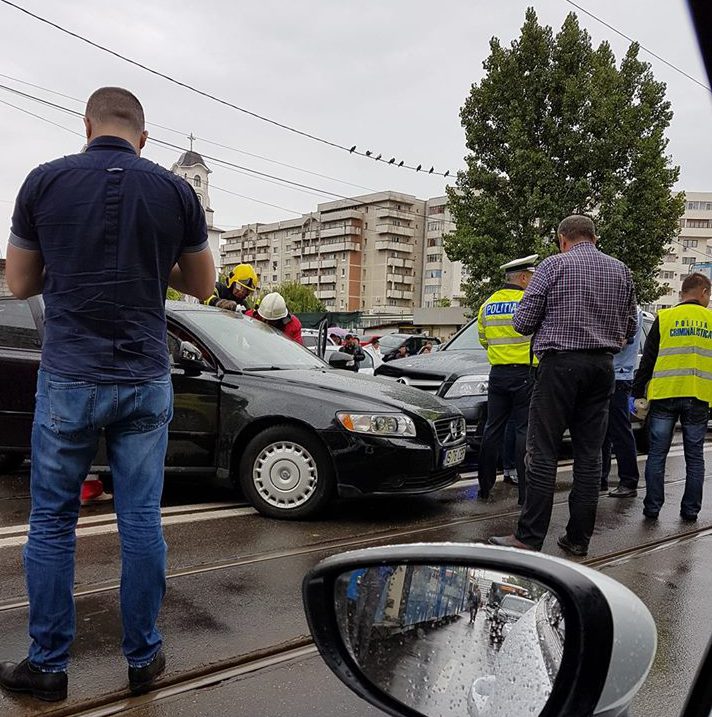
column 101, row 235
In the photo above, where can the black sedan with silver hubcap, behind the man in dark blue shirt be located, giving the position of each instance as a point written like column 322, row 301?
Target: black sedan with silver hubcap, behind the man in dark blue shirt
column 260, row 412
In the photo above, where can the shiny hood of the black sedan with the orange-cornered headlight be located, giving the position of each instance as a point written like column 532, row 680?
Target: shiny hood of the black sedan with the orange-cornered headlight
column 358, row 389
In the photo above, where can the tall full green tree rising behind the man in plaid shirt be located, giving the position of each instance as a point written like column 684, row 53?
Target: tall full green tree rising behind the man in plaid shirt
column 556, row 127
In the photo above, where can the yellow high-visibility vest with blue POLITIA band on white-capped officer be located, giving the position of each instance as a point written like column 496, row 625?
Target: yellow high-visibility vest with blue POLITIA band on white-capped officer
column 496, row 331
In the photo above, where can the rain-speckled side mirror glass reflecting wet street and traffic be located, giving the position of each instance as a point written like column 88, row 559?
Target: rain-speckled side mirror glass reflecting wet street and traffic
column 452, row 639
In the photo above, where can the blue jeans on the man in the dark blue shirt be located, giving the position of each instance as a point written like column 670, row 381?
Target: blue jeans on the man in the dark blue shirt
column 69, row 415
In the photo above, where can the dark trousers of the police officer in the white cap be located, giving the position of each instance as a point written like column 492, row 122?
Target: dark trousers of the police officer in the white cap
column 508, row 396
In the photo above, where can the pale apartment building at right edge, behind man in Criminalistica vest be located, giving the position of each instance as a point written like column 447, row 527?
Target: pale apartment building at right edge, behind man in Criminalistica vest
column 693, row 246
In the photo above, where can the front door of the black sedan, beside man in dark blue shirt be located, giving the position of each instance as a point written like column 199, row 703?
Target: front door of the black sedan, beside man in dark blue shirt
column 193, row 432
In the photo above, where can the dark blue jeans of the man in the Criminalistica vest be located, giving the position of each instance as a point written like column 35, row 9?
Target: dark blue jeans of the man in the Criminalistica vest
column 693, row 415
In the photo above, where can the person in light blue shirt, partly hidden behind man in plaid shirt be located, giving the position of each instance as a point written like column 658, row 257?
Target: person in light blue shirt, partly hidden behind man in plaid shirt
column 619, row 434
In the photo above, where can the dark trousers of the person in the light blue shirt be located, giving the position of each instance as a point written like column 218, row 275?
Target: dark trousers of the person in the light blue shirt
column 620, row 438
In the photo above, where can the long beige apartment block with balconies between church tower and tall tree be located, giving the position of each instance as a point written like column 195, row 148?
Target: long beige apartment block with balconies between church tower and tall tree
column 359, row 254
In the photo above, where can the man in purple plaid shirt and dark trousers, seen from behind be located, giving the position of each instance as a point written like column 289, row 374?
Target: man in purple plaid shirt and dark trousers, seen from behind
column 580, row 306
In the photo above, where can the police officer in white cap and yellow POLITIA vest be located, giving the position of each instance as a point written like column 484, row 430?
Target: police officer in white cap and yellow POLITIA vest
column 510, row 380
